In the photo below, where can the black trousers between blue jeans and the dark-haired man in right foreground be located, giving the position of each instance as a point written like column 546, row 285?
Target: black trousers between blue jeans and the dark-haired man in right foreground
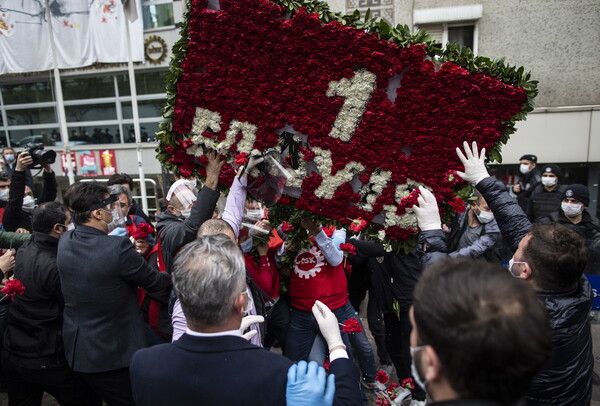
column 397, row 340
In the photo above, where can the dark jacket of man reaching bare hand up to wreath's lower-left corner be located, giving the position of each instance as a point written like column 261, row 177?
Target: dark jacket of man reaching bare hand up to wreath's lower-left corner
column 175, row 232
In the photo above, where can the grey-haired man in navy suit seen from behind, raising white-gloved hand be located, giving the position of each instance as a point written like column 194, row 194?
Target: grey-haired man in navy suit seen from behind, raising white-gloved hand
column 211, row 364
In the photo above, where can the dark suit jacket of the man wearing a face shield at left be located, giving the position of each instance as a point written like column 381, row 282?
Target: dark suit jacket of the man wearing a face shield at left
column 99, row 275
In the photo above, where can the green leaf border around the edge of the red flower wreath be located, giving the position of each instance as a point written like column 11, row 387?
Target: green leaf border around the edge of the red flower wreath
column 401, row 36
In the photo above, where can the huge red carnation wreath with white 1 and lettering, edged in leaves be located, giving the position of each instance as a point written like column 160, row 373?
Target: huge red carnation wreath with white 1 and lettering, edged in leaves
column 358, row 112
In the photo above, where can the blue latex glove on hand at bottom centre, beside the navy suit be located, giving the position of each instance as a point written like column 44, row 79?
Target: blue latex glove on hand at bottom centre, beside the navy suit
column 309, row 385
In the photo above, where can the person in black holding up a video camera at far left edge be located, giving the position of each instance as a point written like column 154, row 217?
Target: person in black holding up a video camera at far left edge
column 17, row 215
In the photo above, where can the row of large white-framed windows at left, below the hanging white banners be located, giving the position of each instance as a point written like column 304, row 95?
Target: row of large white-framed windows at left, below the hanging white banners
column 97, row 108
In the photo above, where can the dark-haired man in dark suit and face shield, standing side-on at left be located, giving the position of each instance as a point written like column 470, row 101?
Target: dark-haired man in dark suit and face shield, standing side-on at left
column 99, row 276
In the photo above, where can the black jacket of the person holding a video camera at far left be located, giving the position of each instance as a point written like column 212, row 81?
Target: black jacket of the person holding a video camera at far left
column 14, row 216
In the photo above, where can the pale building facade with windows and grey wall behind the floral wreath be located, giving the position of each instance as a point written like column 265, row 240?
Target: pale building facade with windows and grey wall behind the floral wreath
column 557, row 40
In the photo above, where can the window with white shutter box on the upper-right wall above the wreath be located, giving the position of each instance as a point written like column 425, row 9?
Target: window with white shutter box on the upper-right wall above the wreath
column 451, row 24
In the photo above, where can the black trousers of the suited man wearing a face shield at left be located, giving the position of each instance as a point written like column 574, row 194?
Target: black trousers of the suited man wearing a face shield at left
column 114, row 387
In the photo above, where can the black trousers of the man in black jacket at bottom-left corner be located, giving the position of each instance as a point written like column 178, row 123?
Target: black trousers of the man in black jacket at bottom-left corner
column 26, row 386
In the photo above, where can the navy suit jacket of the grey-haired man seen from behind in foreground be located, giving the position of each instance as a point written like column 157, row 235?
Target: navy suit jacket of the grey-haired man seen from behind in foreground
column 224, row 371
